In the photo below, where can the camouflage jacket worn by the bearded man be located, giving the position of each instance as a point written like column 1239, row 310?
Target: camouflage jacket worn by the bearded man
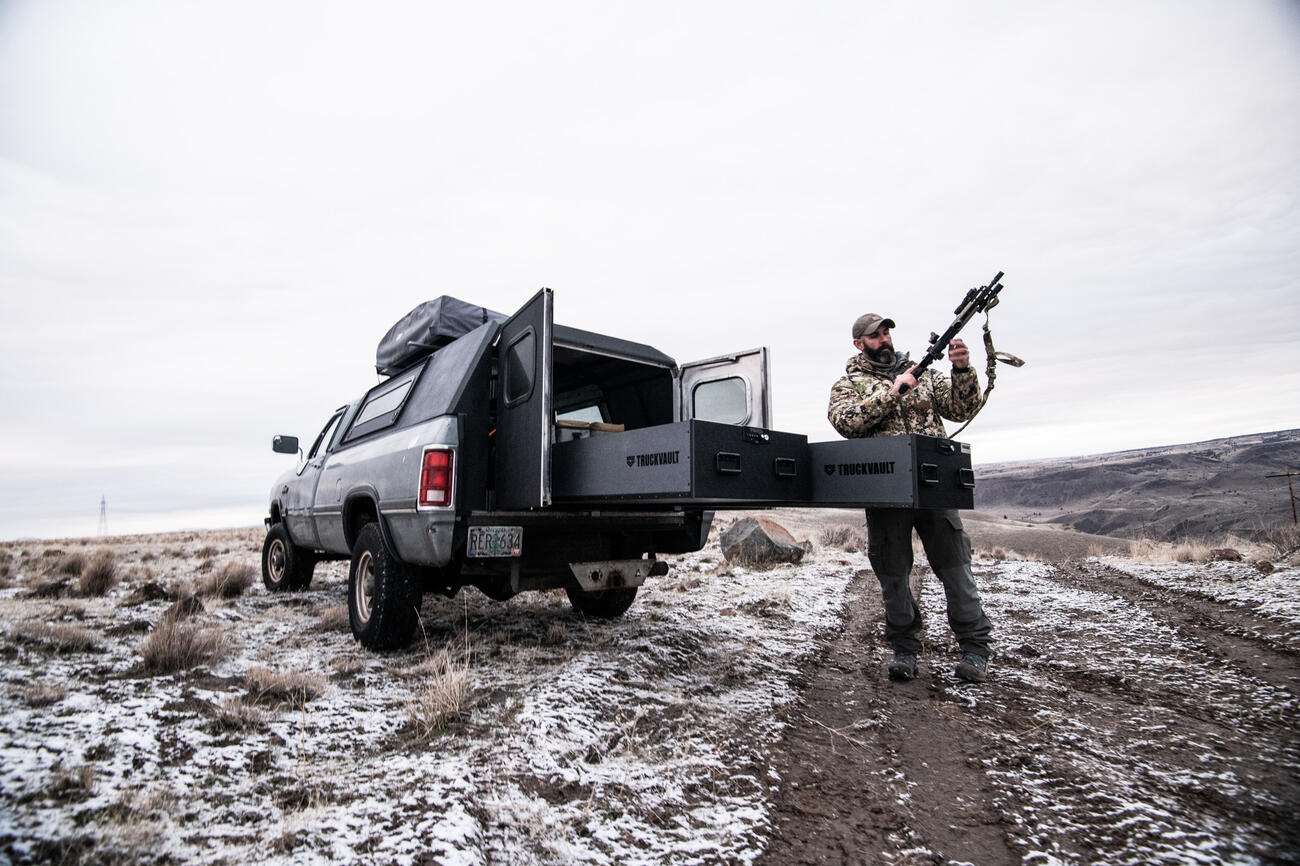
column 861, row 405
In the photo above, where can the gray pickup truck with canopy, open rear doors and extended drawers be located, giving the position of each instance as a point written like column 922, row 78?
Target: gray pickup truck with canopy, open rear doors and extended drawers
column 513, row 454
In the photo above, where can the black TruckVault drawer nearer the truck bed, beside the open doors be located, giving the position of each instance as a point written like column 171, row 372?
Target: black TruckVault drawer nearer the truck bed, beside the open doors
column 704, row 462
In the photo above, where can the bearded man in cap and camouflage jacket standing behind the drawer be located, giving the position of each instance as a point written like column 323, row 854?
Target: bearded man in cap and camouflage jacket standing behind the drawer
column 872, row 400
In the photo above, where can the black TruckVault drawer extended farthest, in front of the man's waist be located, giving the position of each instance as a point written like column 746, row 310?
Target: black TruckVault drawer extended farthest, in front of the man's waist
column 905, row 471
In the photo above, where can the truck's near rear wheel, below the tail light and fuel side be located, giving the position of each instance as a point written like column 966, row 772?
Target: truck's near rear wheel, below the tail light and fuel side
column 383, row 597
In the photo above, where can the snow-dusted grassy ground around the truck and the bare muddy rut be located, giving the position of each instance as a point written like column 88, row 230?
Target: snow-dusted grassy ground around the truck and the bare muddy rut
column 1107, row 734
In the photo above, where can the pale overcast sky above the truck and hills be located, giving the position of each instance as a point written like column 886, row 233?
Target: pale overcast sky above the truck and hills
column 211, row 211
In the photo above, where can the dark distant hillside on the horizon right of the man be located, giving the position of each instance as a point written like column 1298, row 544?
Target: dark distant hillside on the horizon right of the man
column 1198, row 491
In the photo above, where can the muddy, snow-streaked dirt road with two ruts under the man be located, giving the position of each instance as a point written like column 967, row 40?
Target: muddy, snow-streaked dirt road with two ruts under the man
column 1128, row 721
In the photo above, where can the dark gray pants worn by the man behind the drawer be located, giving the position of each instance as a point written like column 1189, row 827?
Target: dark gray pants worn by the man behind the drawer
column 948, row 549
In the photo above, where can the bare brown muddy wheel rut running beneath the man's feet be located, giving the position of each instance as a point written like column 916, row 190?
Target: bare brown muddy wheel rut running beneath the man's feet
column 876, row 772
